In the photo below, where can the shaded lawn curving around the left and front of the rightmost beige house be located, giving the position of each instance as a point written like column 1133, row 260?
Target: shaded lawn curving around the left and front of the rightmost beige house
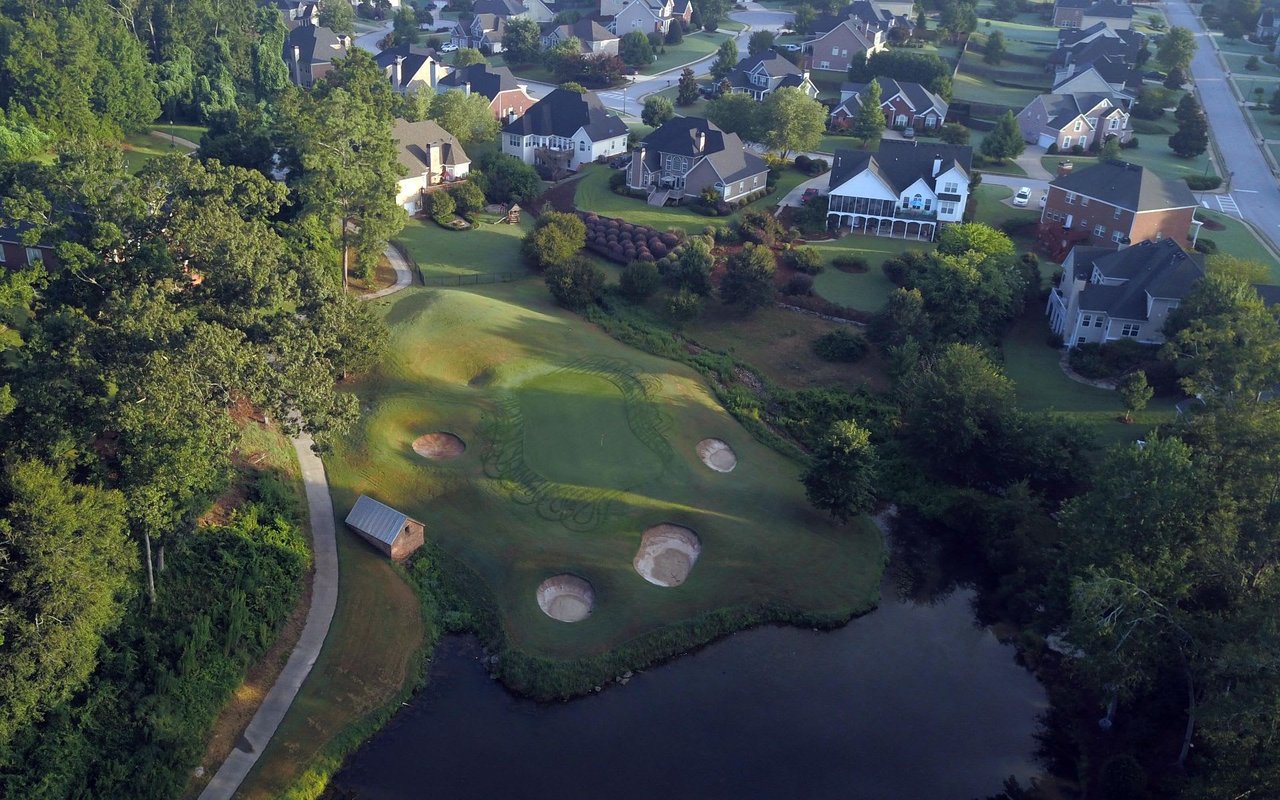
column 1034, row 367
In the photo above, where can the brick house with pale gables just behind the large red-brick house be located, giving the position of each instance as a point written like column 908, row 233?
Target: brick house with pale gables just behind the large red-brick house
column 1069, row 121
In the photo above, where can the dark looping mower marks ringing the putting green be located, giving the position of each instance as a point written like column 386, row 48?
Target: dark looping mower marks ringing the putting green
column 579, row 509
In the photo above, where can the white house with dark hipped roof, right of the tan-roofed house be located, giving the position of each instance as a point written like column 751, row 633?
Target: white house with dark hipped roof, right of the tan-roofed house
column 564, row 131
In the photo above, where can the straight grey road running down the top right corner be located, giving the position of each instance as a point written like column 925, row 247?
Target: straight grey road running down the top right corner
column 1251, row 181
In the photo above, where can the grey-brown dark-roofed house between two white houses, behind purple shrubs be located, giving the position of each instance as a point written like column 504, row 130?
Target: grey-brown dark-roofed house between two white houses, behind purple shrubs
column 688, row 156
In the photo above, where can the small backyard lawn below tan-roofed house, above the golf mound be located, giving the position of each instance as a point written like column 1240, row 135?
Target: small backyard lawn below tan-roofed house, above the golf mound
column 488, row 248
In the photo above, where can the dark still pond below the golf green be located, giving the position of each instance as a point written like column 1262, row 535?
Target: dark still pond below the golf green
column 909, row 702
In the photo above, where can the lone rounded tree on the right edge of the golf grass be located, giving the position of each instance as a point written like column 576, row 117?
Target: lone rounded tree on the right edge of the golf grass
column 842, row 479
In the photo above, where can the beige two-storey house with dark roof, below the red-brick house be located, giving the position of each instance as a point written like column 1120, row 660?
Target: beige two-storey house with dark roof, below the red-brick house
column 1108, row 295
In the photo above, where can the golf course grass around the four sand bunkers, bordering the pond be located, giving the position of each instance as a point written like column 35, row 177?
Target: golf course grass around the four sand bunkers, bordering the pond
column 465, row 362
